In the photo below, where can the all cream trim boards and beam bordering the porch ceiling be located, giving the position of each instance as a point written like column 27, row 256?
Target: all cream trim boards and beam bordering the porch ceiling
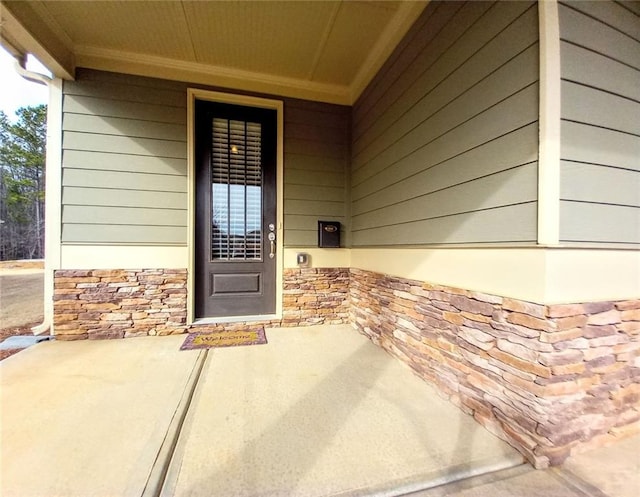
column 63, row 62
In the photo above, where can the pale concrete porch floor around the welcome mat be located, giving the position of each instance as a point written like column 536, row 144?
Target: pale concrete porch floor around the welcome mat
column 318, row 411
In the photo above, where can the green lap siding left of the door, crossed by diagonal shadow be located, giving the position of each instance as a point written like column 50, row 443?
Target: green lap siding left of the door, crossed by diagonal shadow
column 124, row 175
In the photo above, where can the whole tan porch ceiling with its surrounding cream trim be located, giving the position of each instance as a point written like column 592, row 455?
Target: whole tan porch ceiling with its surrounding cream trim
column 321, row 50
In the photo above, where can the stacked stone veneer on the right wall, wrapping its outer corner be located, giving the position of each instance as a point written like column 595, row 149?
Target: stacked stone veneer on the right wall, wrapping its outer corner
column 548, row 379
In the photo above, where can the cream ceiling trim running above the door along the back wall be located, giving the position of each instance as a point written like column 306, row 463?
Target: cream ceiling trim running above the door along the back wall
column 195, row 72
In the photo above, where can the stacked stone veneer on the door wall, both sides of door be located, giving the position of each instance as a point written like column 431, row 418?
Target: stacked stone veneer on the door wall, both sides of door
column 138, row 302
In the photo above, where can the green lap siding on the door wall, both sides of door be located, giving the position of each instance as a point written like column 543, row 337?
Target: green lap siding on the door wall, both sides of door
column 125, row 162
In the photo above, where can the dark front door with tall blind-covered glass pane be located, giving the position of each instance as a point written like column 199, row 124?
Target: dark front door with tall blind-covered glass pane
column 235, row 261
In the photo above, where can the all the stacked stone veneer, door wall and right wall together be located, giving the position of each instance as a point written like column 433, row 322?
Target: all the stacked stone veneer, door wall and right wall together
column 550, row 379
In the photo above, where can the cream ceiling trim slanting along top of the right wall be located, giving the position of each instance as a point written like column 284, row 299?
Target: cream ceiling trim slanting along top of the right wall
column 404, row 18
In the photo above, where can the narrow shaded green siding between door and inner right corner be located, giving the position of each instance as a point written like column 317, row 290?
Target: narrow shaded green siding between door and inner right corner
column 316, row 155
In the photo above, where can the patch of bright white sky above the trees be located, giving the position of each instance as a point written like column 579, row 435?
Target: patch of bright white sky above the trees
column 15, row 91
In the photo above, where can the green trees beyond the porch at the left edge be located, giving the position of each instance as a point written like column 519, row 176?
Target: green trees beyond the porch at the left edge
column 22, row 179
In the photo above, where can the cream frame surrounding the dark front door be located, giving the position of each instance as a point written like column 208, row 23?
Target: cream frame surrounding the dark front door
column 194, row 94
